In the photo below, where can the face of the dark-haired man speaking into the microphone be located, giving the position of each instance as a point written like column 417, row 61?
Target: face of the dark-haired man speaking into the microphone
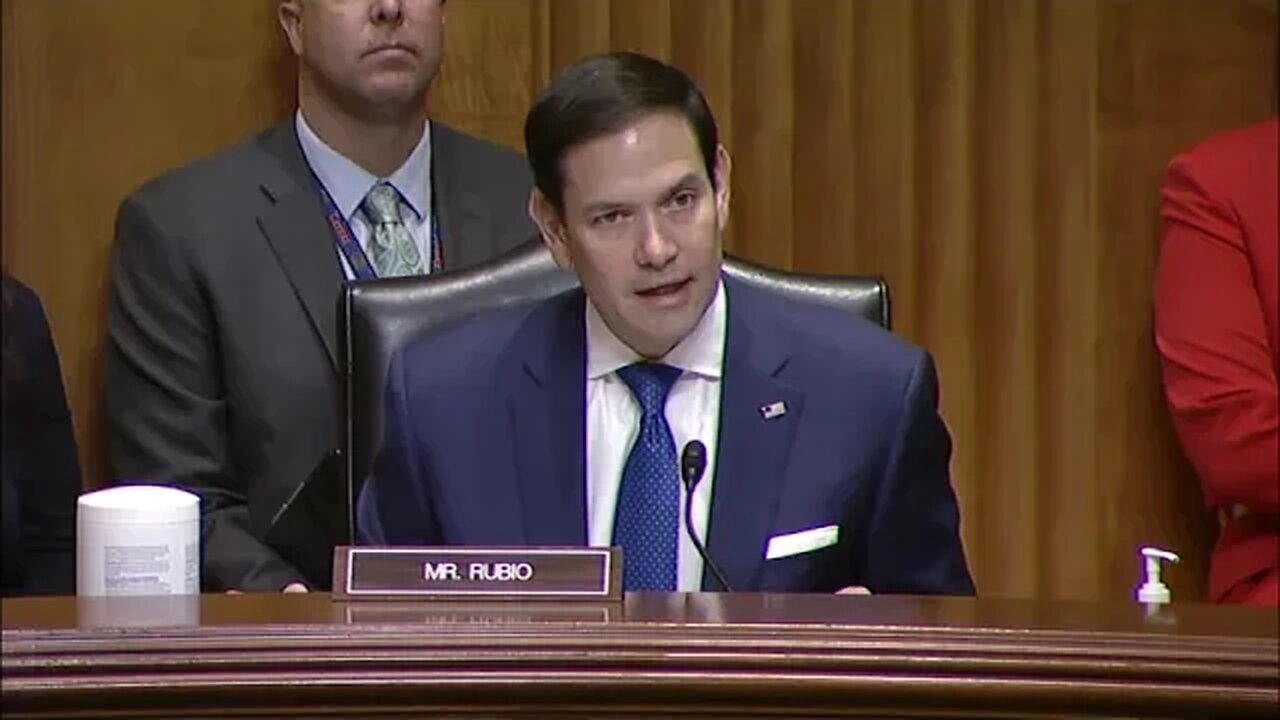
column 642, row 229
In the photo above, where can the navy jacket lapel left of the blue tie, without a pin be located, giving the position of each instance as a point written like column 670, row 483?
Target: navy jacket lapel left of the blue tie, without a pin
column 548, row 423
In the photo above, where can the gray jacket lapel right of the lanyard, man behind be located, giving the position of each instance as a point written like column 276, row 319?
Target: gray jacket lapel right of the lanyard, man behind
column 465, row 226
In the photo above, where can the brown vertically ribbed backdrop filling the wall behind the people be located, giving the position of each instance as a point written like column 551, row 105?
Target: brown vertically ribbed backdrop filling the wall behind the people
column 998, row 161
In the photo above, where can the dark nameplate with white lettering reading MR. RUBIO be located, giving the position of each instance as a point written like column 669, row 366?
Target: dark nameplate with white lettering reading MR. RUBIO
column 592, row 575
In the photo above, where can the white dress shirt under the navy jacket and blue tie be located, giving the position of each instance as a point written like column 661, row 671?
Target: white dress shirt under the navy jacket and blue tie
column 614, row 421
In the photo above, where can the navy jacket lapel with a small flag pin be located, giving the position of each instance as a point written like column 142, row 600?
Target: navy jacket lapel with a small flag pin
column 752, row 450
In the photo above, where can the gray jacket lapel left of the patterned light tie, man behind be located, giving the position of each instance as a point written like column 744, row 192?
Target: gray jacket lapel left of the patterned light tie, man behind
column 296, row 229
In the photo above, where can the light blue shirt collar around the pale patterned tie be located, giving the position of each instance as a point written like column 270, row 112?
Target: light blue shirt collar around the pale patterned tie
column 349, row 184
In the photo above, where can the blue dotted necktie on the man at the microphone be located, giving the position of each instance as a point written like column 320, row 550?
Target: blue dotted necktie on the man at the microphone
column 647, row 521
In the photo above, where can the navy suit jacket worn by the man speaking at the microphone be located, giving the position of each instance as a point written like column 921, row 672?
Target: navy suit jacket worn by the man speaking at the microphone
column 486, row 426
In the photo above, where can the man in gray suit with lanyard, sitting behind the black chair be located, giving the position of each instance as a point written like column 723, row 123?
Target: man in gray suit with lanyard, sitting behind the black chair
column 221, row 339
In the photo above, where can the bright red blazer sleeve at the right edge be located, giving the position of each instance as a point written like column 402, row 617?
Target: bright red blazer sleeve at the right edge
column 1212, row 332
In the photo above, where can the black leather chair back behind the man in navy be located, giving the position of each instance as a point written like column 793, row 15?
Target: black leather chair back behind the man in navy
column 380, row 317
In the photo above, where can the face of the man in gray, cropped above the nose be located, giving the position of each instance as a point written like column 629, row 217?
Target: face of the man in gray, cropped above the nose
column 372, row 58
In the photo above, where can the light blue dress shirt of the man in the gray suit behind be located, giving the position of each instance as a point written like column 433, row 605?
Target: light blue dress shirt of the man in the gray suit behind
column 349, row 184
